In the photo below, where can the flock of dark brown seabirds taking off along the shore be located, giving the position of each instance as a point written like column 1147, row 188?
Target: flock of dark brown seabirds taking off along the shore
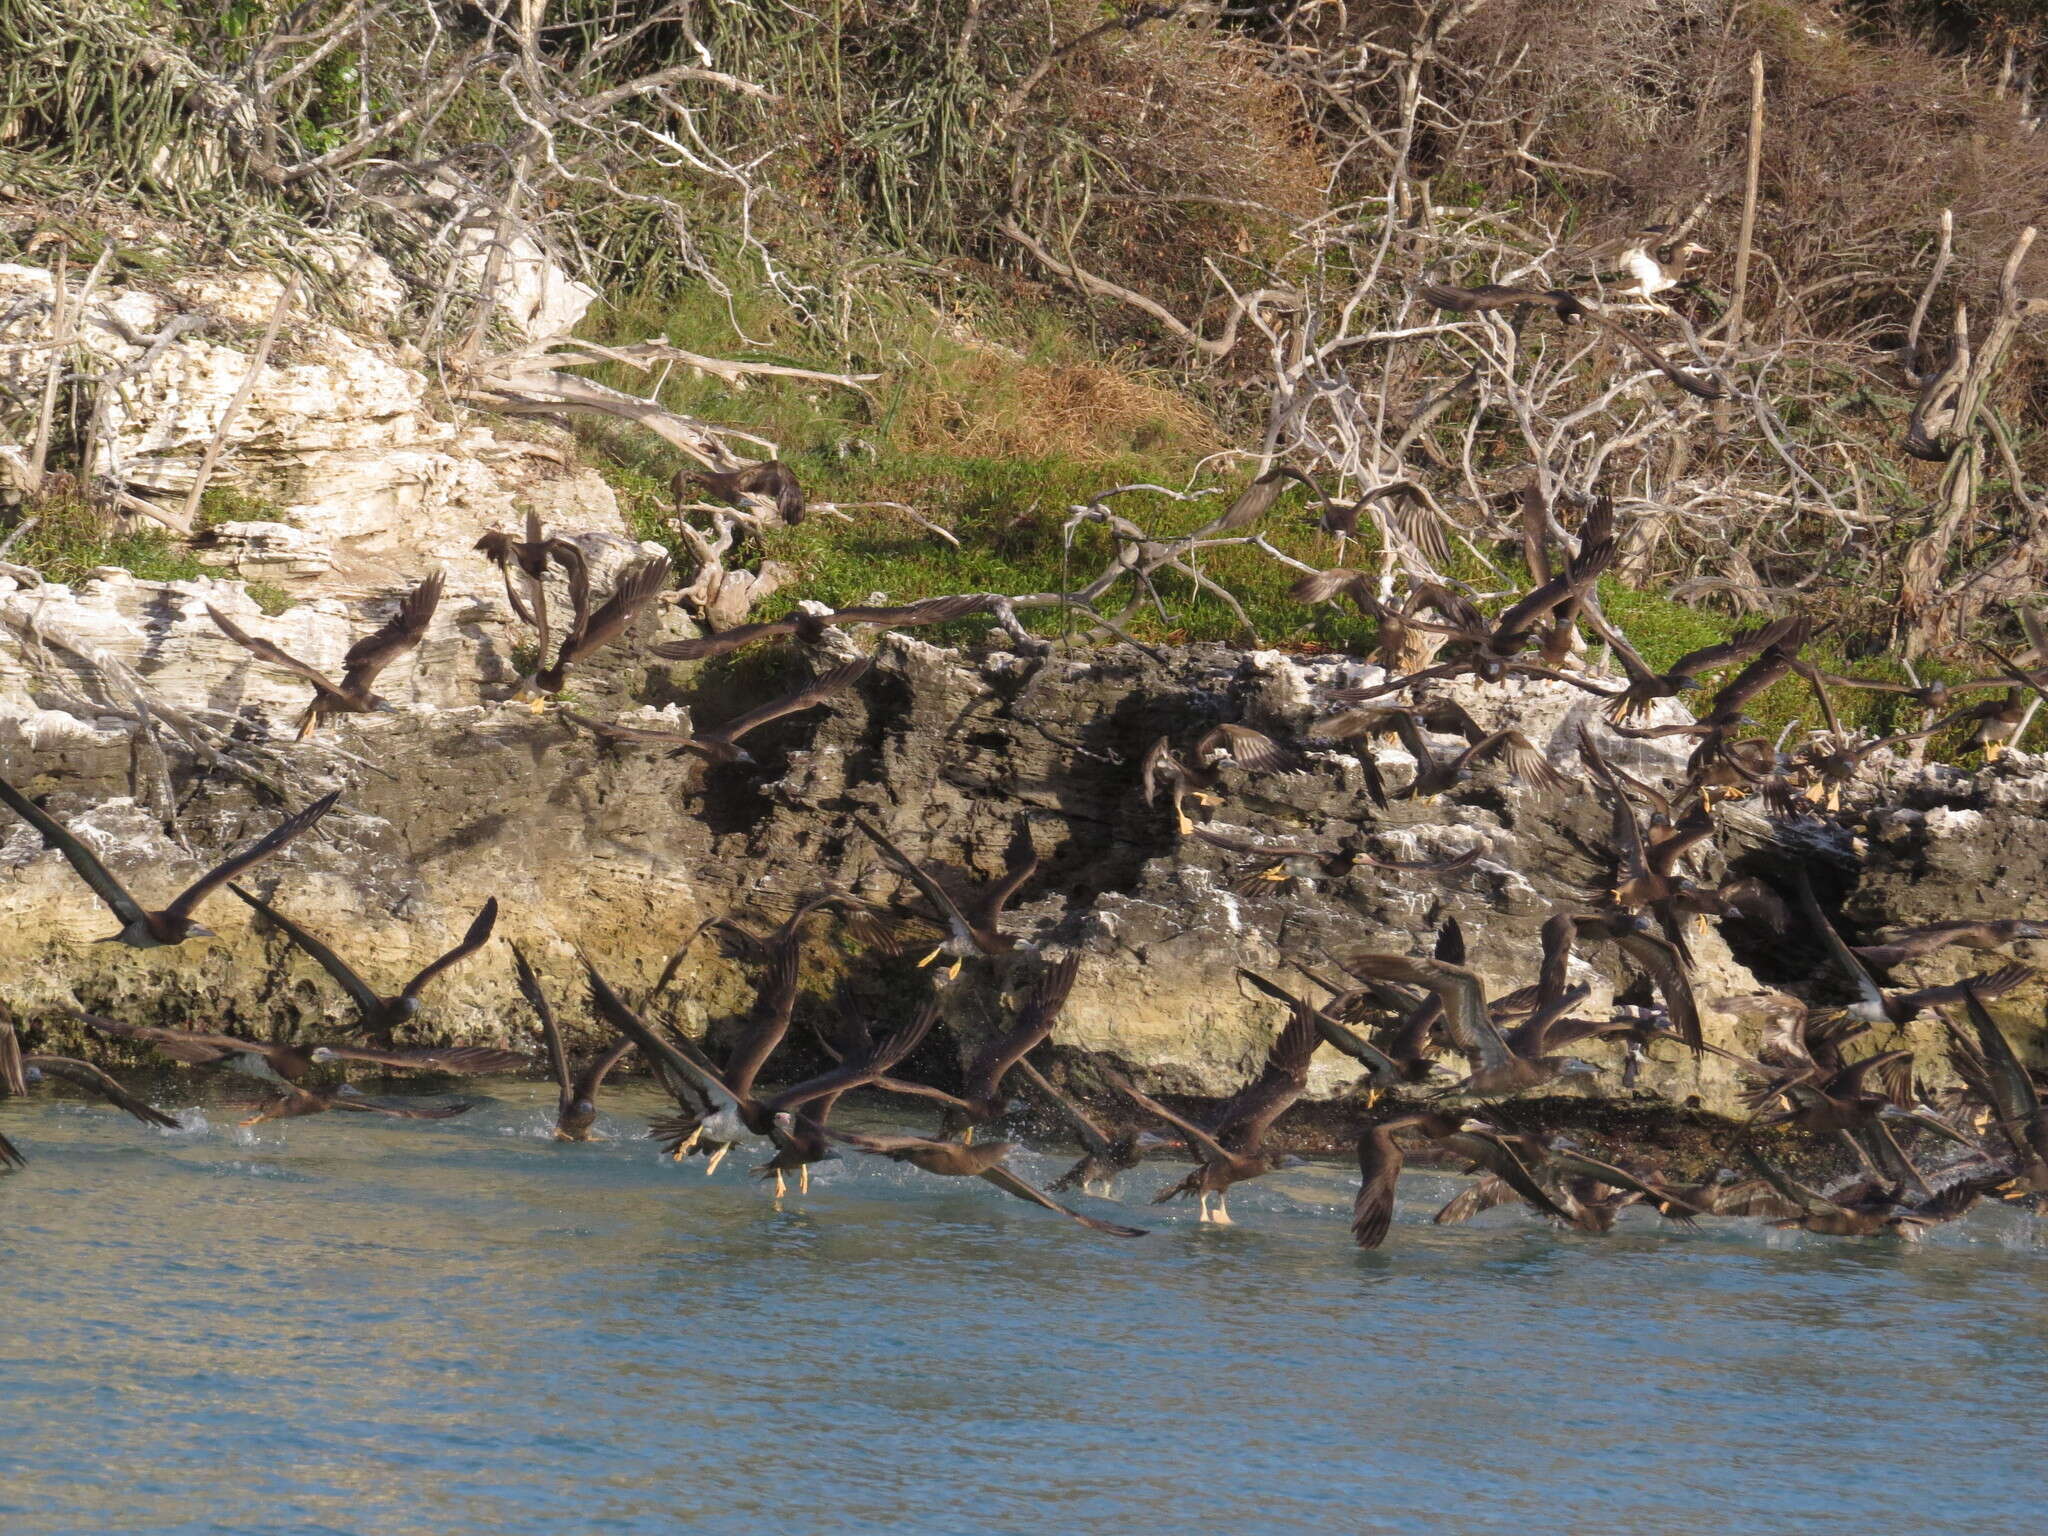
column 1424, row 1027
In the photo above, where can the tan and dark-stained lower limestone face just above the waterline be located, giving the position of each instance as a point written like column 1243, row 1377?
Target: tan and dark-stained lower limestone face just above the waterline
column 626, row 851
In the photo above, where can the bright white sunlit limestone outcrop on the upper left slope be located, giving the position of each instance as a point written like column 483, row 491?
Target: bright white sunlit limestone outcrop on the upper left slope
column 374, row 482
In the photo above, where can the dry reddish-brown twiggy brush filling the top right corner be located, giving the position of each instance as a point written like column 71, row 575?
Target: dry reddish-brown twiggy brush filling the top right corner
column 1869, row 136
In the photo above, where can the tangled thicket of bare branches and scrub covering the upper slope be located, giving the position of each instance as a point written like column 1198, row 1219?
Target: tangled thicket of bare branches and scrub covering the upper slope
column 1250, row 194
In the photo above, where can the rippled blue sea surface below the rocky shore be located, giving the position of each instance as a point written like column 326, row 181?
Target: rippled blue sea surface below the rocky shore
column 388, row 1328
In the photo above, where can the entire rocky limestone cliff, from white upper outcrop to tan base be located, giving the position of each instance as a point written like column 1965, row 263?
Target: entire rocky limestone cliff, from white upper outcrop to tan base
column 165, row 744
